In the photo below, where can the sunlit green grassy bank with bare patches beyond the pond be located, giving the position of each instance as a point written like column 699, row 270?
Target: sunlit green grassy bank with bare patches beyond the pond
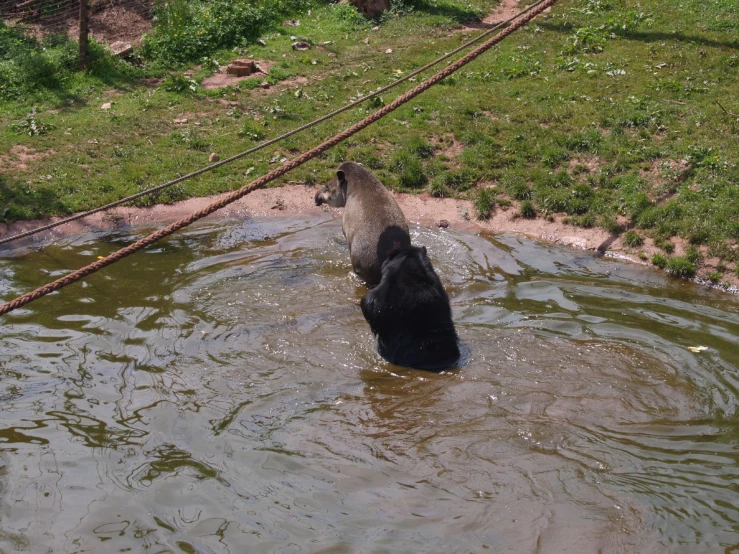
column 599, row 111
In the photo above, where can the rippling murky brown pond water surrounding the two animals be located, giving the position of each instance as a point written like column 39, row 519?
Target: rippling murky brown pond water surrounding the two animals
column 222, row 393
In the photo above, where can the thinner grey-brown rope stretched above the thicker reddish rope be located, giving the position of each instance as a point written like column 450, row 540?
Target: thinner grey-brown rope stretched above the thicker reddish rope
column 266, row 143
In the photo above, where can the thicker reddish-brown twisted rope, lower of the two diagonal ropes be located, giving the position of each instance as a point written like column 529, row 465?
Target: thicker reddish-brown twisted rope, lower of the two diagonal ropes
column 272, row 175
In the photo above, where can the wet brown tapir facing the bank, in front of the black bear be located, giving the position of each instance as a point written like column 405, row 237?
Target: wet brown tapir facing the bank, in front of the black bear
column 373, row 223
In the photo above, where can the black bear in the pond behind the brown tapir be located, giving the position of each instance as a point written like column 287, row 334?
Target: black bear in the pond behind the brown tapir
column 409, row 313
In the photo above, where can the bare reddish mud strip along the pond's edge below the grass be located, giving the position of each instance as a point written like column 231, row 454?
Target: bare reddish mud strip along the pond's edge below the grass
column 420, row 209
